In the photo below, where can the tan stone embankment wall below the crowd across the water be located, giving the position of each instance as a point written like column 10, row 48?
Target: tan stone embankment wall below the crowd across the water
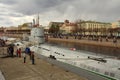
column 88, row 42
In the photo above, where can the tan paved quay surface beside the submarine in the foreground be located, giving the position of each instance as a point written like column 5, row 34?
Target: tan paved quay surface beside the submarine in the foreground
column 15, row 69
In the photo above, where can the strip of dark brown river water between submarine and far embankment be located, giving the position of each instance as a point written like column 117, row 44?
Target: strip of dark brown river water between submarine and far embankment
column 98, row 50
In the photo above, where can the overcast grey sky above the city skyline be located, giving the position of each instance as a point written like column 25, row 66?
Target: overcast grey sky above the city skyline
column 15, row 12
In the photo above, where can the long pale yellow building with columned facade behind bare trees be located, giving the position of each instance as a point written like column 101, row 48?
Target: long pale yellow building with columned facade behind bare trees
column 94, row 28
